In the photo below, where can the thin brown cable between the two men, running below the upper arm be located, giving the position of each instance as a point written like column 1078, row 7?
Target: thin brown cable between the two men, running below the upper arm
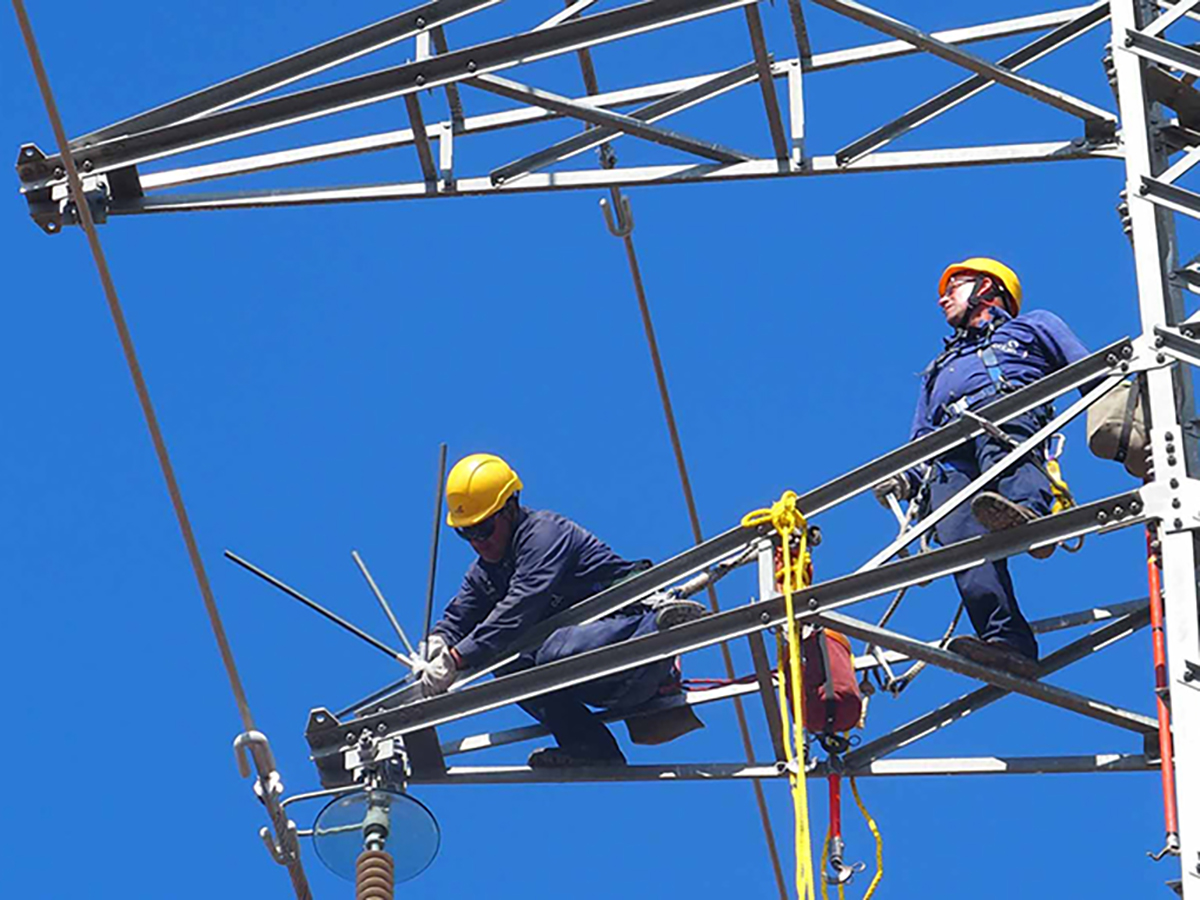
column 698, row 535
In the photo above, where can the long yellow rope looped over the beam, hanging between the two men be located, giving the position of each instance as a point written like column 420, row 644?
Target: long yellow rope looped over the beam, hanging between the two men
column 788, row 519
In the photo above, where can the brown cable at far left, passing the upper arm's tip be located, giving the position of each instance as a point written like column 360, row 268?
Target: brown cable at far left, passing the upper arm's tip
column 296, row 871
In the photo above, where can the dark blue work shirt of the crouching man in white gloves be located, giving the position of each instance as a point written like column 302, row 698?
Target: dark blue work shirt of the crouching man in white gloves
column 551, row 563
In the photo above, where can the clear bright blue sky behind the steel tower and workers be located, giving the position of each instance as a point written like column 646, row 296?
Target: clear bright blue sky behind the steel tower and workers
column 307, row 363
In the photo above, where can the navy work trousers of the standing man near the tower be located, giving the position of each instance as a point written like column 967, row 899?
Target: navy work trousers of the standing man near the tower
column 987, row 590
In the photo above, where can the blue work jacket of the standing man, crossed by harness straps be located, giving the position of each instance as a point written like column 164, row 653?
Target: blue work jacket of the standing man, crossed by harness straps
column 1003, row 355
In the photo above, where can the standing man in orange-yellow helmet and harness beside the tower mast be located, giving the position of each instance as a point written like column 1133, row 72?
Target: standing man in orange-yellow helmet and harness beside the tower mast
column 994, row 350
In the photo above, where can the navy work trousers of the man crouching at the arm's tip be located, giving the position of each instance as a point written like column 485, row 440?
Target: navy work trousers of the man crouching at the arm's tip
column 566, row 713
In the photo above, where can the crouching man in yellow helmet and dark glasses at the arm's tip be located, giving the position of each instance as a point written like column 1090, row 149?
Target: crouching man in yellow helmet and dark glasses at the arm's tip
column 532, row 566
